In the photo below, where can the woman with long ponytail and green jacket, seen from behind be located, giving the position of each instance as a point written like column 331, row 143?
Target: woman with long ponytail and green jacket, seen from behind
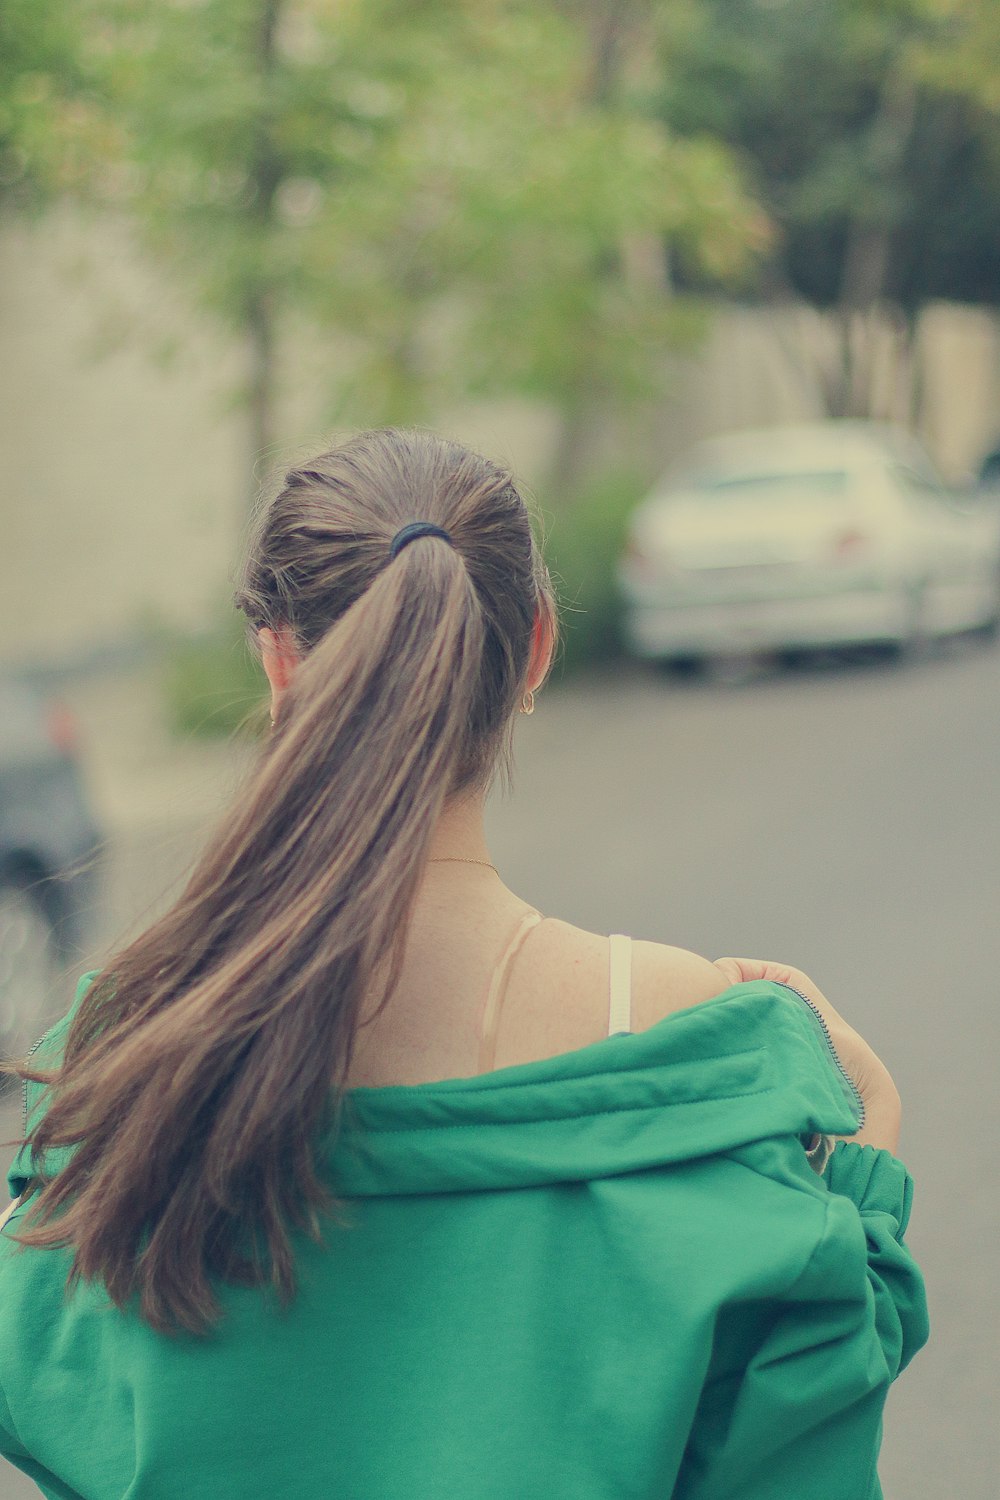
column 358, row 1192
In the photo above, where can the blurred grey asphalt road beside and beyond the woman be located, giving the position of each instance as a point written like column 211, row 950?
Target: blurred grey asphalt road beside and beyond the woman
column 842, row 820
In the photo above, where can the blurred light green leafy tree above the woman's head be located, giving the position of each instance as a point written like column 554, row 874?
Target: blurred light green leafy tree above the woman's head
column 463, row 191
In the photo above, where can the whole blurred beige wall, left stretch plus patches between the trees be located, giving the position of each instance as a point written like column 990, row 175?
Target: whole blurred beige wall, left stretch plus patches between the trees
column 122, row 488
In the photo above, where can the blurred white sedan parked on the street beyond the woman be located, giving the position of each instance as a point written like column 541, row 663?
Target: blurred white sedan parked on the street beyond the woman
column 821, row 535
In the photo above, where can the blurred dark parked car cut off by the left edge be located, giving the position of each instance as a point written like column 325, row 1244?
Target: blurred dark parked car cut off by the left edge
column 49, row 862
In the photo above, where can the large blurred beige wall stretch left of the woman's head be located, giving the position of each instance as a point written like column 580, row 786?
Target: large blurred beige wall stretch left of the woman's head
column 118, row 473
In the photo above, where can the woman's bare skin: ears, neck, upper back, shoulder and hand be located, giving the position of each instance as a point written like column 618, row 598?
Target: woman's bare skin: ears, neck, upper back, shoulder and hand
column 558, row 989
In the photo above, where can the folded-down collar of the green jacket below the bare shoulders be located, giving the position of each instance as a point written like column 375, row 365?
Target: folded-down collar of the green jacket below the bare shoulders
column 746, row 1066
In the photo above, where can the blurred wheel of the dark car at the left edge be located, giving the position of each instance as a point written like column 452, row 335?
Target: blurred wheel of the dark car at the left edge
column 31, row 965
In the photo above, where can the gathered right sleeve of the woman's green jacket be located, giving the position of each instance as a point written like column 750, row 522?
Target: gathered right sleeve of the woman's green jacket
column 806, row 1417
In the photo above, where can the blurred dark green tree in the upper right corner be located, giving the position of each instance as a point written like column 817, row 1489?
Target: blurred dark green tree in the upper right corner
column 869, row 133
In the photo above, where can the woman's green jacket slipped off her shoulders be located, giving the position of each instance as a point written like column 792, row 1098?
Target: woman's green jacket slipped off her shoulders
column 611, row 1276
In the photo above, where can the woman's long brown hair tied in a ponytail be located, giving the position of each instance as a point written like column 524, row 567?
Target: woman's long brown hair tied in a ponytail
column 206, row 1063
